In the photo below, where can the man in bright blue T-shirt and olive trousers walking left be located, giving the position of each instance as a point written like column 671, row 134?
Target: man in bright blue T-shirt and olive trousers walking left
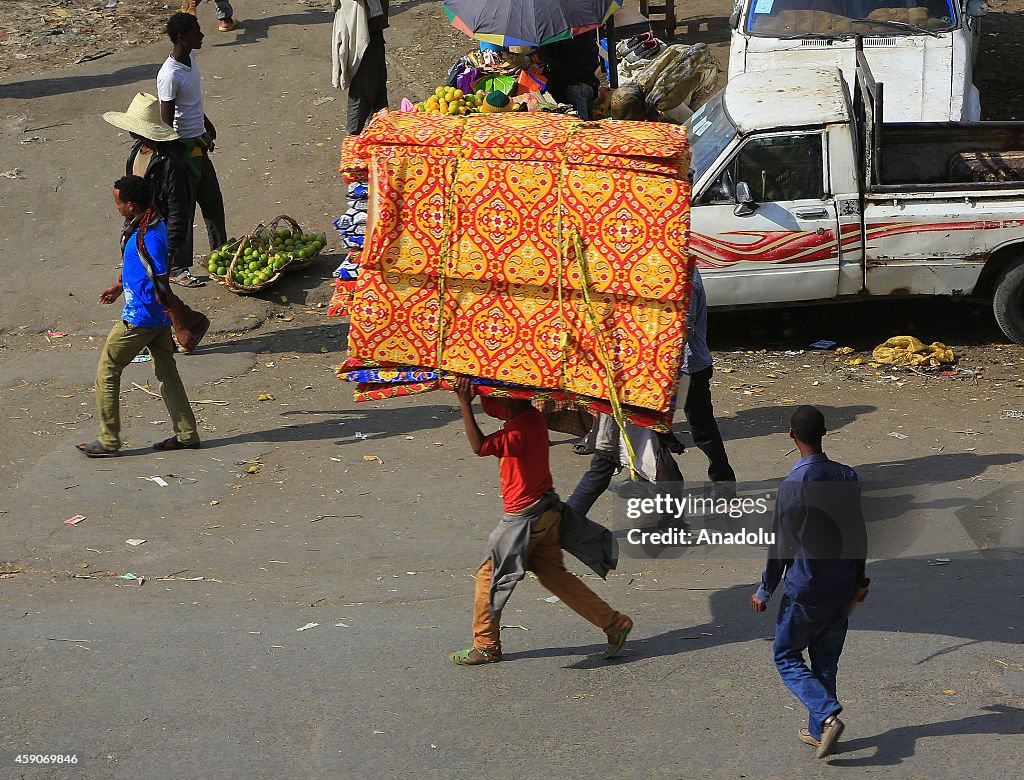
column 145, row 323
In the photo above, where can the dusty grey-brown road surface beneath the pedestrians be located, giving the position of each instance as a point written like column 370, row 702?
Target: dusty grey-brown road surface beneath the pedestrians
column 200, row 667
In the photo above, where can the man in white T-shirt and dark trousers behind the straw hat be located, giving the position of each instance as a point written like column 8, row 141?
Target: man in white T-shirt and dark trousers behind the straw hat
column 181, row 96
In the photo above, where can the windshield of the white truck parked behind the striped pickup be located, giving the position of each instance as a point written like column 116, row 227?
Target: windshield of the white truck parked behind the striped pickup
column 796, row 19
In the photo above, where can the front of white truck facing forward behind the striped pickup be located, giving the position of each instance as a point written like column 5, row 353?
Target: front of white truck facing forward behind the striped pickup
column 928, row 48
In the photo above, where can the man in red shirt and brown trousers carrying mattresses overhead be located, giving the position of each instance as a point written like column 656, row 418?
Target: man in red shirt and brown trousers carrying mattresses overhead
column 530, row 536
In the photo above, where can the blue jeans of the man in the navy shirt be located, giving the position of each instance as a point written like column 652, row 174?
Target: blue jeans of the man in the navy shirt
column 821, row 631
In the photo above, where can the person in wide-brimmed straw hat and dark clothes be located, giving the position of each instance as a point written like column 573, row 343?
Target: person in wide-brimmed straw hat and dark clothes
column 157, row 156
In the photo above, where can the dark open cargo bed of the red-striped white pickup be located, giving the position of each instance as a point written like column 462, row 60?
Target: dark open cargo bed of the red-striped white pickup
column 952, row 156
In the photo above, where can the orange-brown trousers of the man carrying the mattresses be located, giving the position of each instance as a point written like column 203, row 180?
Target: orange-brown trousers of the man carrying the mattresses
column 545, row 561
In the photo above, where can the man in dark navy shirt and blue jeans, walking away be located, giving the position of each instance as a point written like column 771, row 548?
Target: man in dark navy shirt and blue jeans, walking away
column 820, row 547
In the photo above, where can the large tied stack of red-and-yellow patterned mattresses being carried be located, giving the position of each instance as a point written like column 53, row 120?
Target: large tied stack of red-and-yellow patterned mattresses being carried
column 531, row 250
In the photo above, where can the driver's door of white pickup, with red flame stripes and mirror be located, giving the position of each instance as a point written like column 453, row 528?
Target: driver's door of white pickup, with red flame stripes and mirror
column 786, row 249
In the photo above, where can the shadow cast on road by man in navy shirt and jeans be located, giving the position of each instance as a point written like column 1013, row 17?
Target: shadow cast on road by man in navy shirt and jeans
column 900, row 744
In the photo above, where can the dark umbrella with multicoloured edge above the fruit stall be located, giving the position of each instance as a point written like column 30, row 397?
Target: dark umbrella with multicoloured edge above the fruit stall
column 528, row 23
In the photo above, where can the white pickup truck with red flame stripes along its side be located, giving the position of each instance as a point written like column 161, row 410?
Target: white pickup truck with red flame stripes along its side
column 802, row 194
